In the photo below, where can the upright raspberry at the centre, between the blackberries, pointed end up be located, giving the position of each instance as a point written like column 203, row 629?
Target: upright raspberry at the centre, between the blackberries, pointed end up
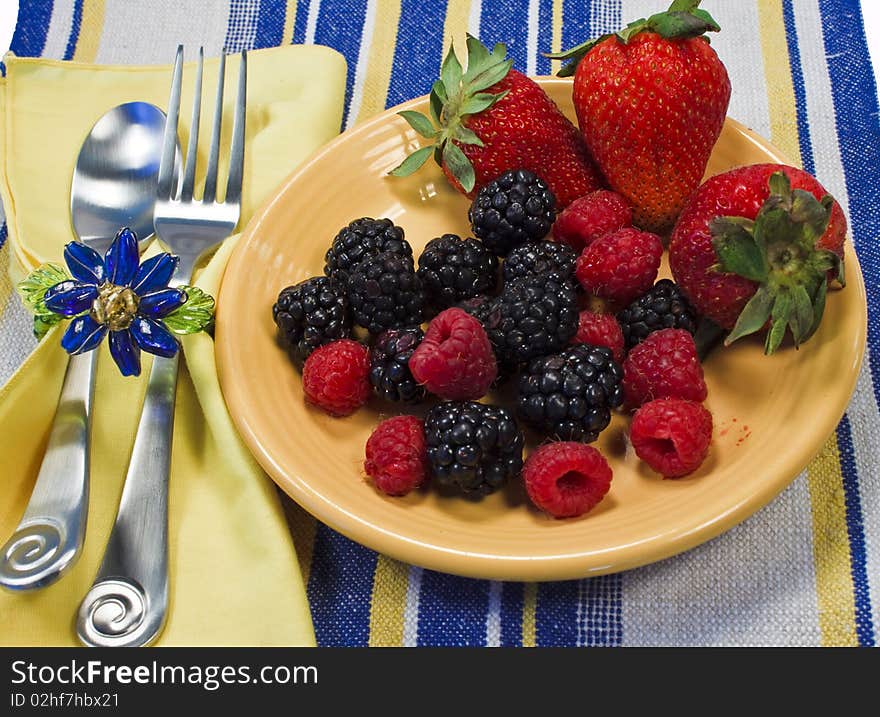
column 455, row 358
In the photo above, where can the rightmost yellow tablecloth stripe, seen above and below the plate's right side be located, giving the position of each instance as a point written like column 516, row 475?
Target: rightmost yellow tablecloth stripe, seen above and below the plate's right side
column 831, row 554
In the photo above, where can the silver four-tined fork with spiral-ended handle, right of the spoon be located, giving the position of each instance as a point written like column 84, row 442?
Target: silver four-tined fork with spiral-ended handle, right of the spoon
column 127, row 604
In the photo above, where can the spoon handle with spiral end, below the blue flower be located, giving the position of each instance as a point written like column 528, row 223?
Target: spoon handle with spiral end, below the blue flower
column 49, row 537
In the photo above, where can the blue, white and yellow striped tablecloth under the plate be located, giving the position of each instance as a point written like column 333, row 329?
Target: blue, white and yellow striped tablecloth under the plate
column 803, row 571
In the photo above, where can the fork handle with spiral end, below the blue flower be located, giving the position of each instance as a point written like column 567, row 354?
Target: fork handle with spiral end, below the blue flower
column 127, row 603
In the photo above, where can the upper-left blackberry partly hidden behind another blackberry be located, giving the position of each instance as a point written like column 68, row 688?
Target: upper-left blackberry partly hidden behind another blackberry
column 360, row 240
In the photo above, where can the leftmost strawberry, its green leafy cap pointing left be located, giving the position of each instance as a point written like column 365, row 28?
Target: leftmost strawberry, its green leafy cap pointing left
column 492, row 119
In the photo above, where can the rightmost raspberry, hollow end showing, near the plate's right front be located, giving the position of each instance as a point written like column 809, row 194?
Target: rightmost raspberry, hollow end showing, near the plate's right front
column 672, row 436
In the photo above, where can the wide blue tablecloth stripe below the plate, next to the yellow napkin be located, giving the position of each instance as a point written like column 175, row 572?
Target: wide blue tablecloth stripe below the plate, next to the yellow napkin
column 340, row 590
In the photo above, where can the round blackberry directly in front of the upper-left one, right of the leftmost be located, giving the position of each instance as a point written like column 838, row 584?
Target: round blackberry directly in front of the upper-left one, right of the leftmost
column 385, row 293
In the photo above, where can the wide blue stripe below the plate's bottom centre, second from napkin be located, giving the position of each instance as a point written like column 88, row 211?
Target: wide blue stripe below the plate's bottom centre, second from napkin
column 452, row 611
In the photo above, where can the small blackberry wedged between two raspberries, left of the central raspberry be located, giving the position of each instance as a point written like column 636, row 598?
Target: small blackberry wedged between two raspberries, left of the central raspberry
column 389, row 367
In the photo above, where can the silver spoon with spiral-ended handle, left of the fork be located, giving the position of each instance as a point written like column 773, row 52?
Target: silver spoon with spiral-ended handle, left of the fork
column 114, row 185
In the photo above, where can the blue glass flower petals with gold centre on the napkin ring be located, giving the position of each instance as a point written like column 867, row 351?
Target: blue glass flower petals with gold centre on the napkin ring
column 117, row 295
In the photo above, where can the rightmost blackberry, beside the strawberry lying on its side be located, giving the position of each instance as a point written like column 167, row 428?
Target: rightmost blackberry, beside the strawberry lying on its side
column 662, row 307
